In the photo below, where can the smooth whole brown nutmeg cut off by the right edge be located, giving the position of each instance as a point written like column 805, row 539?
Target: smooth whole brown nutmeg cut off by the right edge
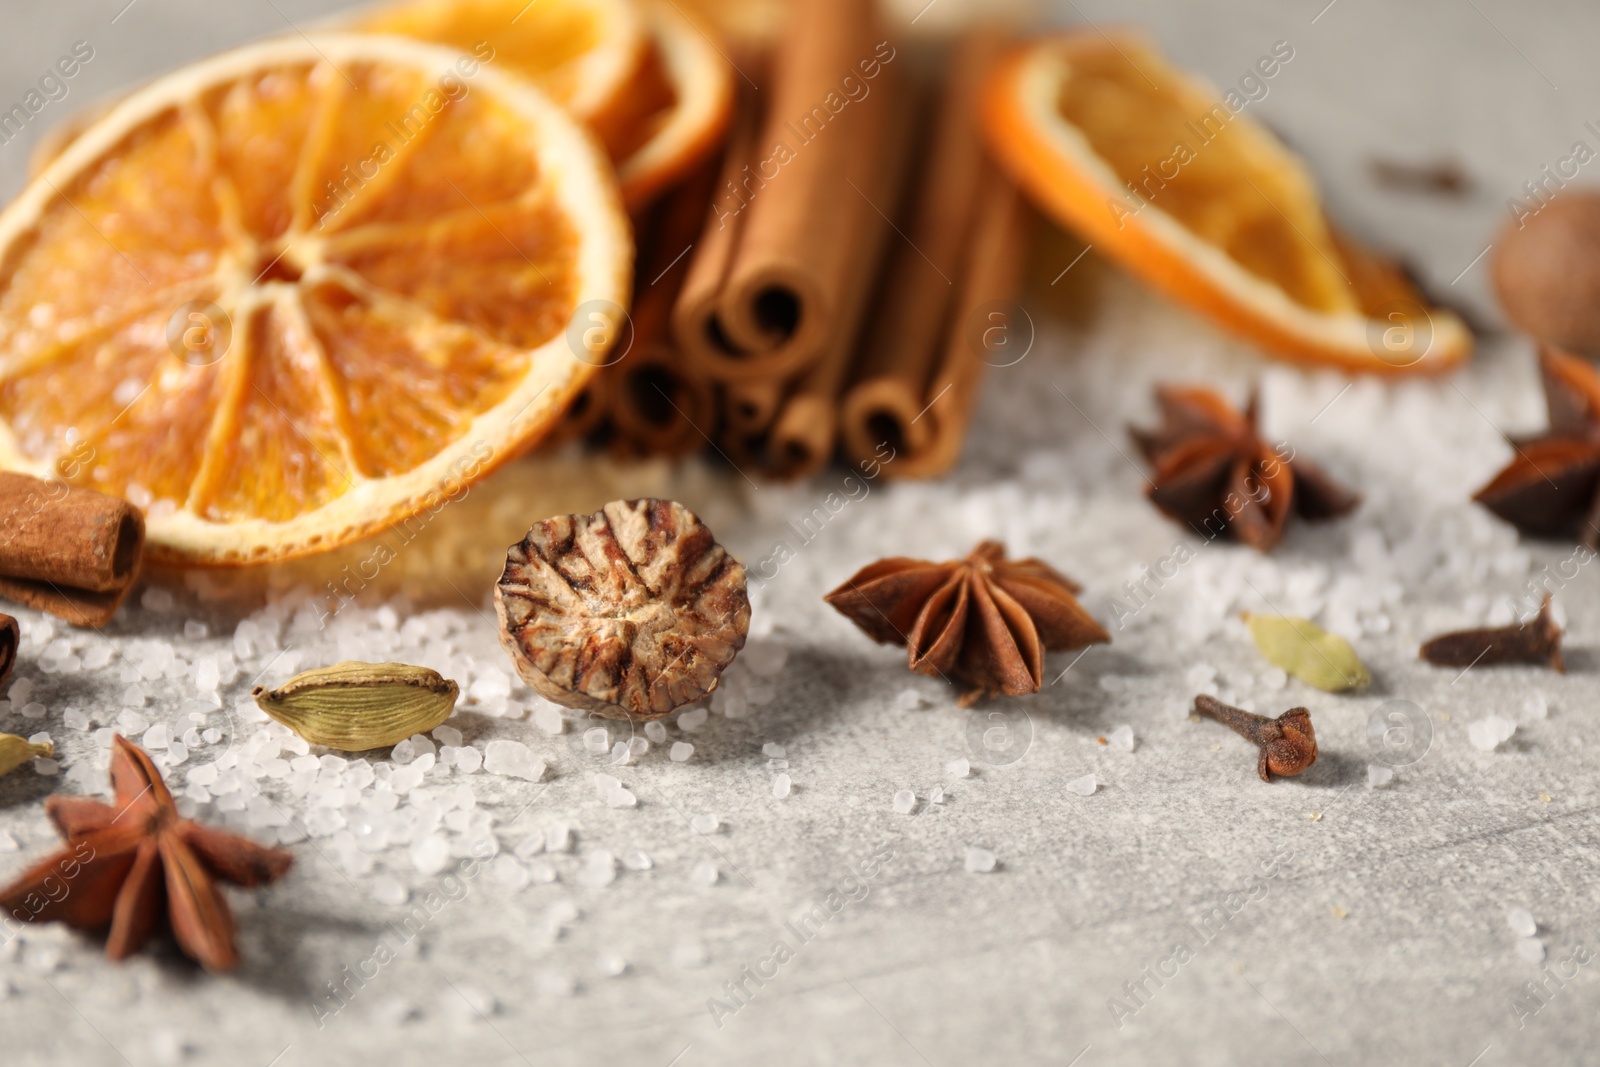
column 1548, row 273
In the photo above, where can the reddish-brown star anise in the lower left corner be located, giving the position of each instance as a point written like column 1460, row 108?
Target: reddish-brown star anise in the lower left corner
column 127, row 861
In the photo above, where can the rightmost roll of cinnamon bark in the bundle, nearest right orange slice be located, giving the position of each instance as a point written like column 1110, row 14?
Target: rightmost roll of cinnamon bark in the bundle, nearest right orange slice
column 983, row 330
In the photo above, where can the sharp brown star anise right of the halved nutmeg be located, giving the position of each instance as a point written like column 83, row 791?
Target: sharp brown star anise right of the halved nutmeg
column 983, row 621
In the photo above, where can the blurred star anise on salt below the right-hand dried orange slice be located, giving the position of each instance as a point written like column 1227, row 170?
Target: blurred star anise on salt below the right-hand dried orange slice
column 1215, row 474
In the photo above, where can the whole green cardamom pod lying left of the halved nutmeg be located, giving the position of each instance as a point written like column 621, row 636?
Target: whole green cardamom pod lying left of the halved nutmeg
column 356, row 708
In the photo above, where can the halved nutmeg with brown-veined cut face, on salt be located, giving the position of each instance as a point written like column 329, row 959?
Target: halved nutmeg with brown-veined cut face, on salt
column 628, row 613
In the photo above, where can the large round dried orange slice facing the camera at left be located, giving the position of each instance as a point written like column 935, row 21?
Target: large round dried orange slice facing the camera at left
column 302, row 292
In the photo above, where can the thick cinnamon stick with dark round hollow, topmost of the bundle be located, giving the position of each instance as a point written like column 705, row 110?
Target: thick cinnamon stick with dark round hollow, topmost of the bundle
column 793, row 279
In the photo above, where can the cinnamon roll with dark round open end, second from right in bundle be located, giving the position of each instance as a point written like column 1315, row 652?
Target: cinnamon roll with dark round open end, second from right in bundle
column 890, row 393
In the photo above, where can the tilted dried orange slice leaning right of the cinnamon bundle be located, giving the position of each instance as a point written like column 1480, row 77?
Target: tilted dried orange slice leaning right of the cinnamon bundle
column 1174, row 182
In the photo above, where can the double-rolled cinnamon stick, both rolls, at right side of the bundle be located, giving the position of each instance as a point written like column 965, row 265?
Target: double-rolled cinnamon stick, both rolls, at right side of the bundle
column 918, row 380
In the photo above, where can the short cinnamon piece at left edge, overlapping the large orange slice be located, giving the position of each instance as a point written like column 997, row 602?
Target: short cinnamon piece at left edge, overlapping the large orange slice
column 68, row 551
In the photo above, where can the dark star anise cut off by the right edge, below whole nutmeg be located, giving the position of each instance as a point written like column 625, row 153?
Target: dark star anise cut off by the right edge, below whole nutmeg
column 1553, row 486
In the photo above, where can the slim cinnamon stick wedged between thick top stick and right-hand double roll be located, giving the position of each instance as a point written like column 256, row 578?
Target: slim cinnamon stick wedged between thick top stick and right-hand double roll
column 806, row 434
